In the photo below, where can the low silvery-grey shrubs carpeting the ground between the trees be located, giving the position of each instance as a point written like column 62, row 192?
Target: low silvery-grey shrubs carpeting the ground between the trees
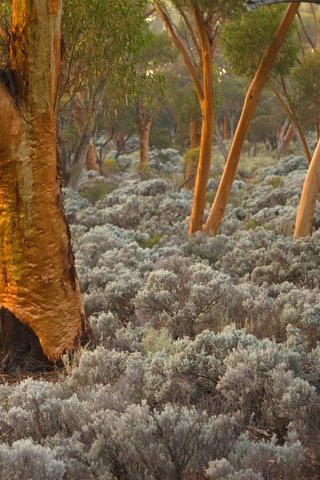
column 208, row 363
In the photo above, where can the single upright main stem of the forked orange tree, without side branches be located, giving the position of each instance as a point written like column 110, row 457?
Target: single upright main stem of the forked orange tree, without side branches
column 207, row 111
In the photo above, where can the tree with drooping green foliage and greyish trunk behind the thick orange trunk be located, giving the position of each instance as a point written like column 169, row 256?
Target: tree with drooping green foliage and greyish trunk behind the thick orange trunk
column 101, row 43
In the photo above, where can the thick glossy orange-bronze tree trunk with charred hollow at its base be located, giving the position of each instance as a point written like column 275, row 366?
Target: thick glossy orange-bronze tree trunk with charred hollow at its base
column 38, row 283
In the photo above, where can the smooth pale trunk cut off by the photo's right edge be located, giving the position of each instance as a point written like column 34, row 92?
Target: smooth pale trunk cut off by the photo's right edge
column 311, row 188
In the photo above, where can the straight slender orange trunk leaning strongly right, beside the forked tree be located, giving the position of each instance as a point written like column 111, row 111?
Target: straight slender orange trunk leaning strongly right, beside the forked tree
column 253, row 94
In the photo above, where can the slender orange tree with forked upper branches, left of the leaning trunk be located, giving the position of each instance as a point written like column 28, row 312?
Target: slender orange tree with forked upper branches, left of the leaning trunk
column 196, row 41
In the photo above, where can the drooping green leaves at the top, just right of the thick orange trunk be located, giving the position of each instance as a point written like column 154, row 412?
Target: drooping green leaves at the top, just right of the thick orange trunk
column 102, row 39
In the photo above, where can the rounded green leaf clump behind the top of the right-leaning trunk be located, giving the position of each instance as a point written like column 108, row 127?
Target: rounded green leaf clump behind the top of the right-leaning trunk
column 245, row 38
